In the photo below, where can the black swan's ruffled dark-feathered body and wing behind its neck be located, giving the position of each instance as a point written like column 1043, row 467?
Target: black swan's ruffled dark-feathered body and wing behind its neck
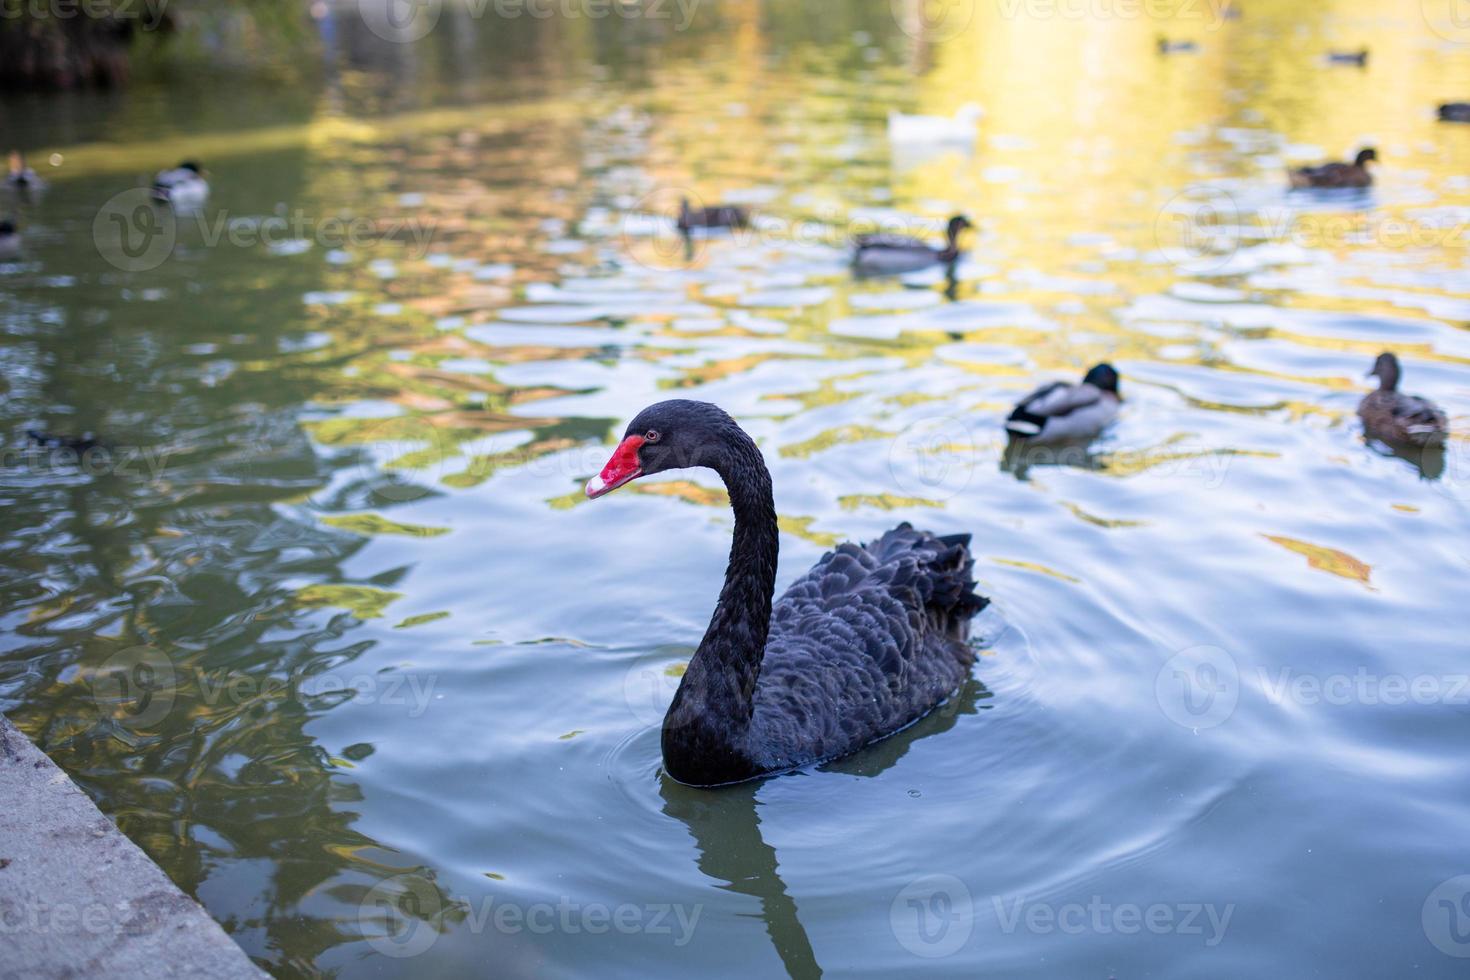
column 867, row 643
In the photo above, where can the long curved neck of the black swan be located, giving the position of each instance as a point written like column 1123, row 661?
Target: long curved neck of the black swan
column 717, row 696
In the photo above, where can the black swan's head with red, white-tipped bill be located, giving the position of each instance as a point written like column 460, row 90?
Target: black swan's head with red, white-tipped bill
column 671, row 436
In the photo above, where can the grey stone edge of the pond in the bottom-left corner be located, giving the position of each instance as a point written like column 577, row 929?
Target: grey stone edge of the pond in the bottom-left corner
column 80, row 900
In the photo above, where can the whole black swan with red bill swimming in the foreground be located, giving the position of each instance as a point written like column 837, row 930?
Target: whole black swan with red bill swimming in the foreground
column 867, row 643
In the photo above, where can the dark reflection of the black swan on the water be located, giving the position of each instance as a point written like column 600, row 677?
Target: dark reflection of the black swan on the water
column 725, row 826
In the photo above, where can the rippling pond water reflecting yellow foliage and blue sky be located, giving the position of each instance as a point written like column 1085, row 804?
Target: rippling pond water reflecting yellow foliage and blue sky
column 333, row 634
